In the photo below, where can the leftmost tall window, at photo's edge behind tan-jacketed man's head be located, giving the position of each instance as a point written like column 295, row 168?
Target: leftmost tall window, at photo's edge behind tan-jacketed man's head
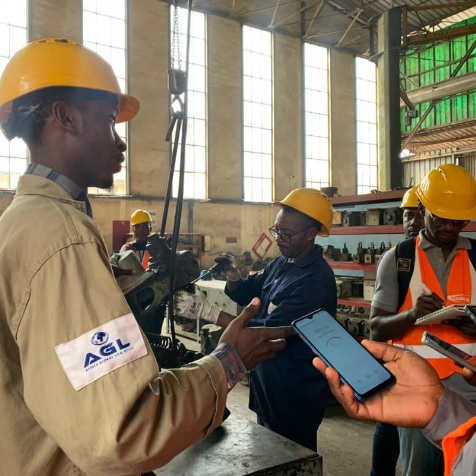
column 13, row 36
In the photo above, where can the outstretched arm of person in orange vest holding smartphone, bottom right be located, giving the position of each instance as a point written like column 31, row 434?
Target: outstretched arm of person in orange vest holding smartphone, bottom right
column 448, row 420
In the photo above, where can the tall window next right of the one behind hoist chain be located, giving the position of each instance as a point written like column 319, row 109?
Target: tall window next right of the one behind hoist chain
column 257, row 115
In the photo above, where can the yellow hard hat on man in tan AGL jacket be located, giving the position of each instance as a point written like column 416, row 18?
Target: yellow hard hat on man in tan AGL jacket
column 57, row 62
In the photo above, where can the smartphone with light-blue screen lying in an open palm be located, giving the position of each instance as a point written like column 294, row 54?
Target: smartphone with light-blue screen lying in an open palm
column 339, row 349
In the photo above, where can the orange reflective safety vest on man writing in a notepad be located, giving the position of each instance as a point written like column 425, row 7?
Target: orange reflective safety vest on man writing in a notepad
column 460, row 289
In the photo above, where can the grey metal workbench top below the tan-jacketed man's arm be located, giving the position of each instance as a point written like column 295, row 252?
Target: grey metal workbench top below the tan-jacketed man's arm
column 241, row 447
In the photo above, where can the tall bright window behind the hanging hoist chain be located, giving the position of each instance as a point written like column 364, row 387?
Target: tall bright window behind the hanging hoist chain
column 195, row 148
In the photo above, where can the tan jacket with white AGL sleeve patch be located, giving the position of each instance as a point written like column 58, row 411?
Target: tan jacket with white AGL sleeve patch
column 59, row 286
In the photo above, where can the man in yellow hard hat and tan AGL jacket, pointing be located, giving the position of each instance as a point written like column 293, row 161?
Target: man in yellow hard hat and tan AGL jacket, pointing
column 80, row 389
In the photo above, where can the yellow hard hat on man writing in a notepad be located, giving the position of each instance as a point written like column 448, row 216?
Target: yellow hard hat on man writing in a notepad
column 449, row 191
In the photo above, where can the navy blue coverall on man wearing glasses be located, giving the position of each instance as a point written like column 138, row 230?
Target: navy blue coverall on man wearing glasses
column 288, row 394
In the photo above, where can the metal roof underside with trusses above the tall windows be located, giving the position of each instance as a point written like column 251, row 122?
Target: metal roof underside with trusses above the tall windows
column 342, row 24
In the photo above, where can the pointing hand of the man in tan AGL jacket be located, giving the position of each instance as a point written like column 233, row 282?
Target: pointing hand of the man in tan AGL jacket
column 254, row 344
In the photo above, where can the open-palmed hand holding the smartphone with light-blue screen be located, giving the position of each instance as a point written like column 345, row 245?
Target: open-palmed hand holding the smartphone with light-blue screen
column 411, row 401
